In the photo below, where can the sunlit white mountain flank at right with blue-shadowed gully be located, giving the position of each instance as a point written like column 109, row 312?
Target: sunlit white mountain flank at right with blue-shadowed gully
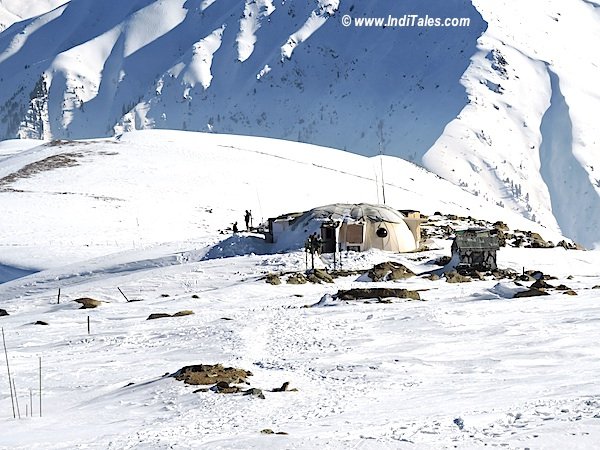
column 531, row 55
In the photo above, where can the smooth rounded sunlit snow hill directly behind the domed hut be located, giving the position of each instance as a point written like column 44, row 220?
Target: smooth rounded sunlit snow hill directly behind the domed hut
column 100, row 196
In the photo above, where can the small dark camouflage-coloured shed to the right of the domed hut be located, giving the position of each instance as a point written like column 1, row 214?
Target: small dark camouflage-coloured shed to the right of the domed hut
column 475, row 248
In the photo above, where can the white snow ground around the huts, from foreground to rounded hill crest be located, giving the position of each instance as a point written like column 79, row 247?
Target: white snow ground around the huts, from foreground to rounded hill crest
column 468, row 367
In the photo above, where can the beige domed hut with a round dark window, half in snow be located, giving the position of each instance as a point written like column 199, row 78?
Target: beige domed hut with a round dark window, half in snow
column 350, row 227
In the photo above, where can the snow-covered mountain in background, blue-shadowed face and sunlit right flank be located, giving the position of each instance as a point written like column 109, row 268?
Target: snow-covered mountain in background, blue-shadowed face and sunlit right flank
column 503, row 107
